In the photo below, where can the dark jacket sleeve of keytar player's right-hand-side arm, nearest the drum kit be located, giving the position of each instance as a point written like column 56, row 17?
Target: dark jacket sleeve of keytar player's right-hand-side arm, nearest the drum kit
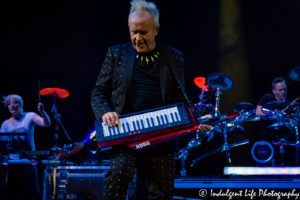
column 184, row 95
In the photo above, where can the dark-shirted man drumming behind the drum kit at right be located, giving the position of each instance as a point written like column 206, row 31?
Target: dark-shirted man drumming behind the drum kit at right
column 279, row 91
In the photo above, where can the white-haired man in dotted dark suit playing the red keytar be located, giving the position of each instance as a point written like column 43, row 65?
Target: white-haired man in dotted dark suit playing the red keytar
column 137, row 76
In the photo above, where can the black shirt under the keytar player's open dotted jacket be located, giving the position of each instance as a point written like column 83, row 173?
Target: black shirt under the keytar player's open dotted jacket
column 144, row 92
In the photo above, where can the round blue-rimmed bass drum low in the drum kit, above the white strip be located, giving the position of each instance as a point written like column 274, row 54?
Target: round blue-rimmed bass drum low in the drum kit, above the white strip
column 262, row 152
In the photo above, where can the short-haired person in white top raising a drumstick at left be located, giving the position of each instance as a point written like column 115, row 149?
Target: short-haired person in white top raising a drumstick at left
column 22, row 122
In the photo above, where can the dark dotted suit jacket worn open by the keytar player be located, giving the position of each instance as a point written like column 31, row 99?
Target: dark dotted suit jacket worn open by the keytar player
column 114, row 80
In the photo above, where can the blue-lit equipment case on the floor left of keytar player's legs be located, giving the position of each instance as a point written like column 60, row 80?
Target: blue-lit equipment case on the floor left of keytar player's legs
column 75, row 182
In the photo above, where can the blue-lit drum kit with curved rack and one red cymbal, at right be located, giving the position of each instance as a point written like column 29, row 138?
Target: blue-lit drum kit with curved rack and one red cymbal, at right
column 287, row 119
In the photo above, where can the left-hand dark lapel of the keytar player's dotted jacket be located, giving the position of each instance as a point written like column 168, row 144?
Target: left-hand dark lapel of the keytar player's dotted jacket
column 129, row 64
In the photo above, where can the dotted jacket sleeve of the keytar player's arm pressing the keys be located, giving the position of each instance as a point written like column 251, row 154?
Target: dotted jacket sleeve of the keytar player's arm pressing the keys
column 101, row 93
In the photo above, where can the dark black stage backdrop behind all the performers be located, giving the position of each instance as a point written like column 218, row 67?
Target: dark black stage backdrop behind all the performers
column 63, row 44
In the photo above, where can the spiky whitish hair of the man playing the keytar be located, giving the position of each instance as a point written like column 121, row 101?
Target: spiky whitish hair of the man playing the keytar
column 142, row 5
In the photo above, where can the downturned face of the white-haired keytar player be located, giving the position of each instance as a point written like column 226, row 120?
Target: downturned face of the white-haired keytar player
column 142, row 31
